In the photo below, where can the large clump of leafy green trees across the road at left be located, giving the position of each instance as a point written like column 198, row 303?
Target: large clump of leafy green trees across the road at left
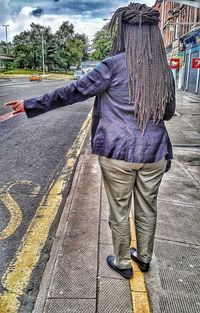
column 62, row 49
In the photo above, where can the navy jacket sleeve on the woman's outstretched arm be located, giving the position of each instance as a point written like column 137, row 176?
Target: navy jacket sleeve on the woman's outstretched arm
column 92, row 84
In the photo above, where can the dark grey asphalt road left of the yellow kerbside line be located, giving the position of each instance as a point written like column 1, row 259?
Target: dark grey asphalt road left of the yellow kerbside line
column 31, row 153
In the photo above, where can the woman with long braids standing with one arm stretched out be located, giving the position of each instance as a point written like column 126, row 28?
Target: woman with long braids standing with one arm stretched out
column 135, row 93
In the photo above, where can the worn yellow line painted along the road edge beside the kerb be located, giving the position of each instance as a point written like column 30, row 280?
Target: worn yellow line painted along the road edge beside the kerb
column 17, row 275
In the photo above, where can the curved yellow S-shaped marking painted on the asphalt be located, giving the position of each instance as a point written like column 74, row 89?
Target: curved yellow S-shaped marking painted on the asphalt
column 13, row 207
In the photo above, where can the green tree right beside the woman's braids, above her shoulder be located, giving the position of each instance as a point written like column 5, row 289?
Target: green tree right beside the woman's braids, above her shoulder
column 101, row 44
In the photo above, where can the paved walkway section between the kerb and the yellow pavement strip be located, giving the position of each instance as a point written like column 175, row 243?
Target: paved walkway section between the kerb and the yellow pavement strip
column 82, row 282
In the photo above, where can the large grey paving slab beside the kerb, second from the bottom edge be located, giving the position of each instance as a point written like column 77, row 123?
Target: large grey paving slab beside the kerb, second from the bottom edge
column 75, row 273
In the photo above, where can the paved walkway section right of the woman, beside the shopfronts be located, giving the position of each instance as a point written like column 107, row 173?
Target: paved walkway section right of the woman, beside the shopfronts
column 174, row 282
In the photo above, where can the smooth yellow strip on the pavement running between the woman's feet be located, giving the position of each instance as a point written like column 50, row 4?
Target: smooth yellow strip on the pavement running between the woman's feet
column 137, row 282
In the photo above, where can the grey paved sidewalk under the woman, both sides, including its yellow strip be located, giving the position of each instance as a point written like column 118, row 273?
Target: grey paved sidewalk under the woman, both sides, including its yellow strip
column 77, row 278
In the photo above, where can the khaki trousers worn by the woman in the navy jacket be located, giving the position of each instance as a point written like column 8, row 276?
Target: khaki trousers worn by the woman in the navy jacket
column 122, row 180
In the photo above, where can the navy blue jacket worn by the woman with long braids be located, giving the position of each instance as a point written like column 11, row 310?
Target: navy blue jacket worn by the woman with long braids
column 115, row 131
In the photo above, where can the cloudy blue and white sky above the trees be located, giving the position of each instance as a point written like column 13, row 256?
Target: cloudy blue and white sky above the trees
column 86, row 15
